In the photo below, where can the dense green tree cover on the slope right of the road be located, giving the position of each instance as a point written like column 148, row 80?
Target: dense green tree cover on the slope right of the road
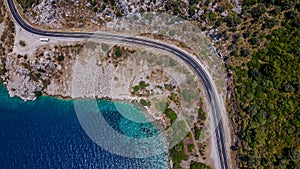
column 267, row 92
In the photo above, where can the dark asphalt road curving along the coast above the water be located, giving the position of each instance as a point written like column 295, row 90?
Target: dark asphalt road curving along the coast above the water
column 211, row 93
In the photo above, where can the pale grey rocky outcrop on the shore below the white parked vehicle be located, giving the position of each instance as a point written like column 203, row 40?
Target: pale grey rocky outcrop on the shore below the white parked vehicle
column 28, row 76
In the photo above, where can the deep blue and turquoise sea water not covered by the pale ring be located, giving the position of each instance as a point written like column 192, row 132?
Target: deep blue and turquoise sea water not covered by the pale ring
column 47, row 134
